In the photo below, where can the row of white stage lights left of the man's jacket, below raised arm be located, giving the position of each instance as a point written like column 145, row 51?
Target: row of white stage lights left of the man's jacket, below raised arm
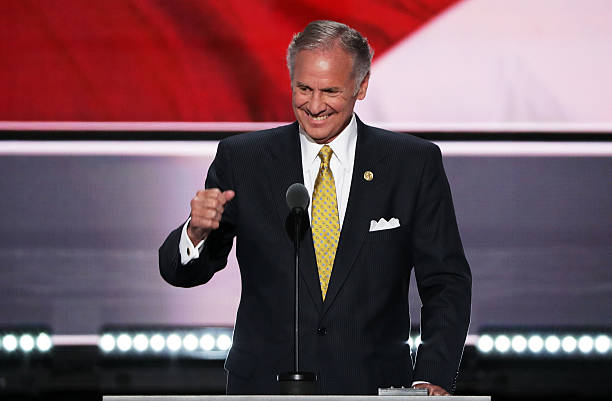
column 211, row 343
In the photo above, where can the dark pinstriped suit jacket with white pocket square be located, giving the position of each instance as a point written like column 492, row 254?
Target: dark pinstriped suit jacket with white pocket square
column 356, row 340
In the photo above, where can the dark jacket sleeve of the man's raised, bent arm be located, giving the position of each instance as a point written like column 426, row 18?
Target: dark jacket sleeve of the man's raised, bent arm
column 218, row 244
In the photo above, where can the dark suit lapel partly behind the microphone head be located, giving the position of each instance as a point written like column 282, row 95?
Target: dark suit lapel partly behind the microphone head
column 285, row 169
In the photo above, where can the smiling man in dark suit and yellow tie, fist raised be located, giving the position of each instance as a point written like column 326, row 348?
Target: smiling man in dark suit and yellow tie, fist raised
column 381, row 205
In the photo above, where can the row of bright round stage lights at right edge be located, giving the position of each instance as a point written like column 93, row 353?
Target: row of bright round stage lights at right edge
column 501, row 344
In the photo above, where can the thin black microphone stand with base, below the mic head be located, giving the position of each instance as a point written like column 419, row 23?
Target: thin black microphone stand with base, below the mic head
column 296, row 382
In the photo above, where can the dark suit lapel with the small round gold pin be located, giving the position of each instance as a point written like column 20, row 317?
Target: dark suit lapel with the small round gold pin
column 356, row 220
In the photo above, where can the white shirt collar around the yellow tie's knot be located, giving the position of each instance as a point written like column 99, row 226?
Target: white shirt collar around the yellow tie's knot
column 341, row 145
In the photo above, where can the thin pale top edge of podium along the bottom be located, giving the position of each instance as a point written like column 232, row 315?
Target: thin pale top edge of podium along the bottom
column 292, row 398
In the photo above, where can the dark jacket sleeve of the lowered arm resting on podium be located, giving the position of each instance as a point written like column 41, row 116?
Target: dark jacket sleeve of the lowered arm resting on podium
column 443, row 278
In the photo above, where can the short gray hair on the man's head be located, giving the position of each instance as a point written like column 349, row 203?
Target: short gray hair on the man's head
column 324, row 35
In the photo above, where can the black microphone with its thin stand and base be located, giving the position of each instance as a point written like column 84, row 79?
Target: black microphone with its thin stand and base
column 297, row 382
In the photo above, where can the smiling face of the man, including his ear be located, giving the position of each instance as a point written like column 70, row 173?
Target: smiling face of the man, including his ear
column 323, row 92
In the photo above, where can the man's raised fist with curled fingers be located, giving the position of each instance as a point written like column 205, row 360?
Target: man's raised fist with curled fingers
column 206, row 211
